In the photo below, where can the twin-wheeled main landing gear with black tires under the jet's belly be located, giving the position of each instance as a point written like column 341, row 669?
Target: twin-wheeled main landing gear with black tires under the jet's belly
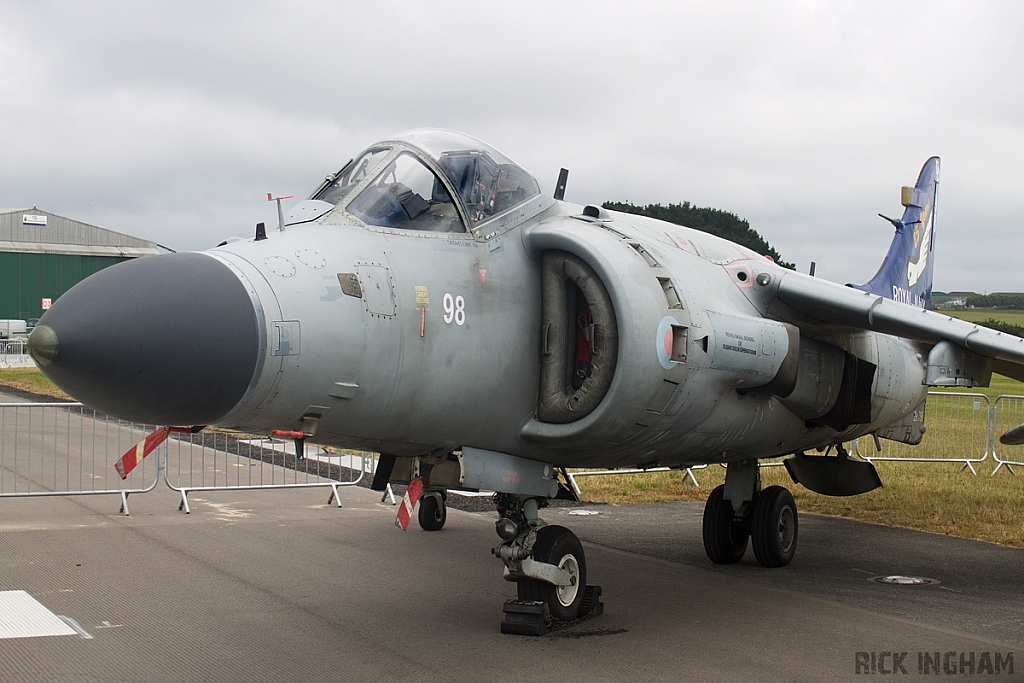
column 740, row 510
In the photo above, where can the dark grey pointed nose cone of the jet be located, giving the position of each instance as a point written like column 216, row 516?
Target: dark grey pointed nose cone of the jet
column 169, row 339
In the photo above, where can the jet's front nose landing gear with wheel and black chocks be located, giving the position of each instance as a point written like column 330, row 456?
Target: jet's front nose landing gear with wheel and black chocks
column 549, row 568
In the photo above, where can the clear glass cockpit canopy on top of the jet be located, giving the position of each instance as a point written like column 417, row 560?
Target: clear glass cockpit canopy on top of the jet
column 409, row 183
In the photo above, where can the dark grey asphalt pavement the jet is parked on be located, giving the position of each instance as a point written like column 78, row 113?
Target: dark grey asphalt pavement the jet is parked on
column 277, row 585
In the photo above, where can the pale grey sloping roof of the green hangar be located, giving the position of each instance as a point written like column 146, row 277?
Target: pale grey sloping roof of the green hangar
column 37, row 232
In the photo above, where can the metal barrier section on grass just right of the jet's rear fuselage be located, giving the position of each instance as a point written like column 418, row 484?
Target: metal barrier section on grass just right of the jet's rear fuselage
column 959, row 430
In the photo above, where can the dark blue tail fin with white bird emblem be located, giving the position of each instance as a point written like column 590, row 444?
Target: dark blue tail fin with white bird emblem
column 906, row 275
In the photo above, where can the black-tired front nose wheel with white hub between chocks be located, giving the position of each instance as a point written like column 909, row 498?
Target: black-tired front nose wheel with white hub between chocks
column 559, row 546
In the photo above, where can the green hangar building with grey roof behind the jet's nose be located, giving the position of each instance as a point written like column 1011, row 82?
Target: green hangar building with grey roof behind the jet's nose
column 44, row 255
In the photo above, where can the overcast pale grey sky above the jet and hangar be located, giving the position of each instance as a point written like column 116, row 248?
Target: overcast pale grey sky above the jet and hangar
column 173, row 121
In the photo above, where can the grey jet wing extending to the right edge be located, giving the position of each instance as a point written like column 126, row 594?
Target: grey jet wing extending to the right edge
column 834, row 304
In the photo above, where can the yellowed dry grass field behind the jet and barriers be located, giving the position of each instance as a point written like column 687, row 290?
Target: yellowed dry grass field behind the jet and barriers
column 930, row 497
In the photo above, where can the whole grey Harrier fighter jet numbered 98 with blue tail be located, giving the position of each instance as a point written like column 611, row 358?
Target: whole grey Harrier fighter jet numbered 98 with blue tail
column 432, row 304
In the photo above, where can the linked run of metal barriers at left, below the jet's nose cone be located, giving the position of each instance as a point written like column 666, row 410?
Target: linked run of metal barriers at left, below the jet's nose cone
column 70, row 450
